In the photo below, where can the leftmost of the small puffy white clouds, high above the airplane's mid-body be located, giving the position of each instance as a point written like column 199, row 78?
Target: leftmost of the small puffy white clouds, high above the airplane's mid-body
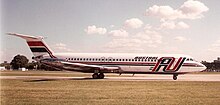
column 94, row 30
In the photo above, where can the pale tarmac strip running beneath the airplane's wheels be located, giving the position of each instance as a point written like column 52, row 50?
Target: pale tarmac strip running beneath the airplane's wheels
column 146, row 77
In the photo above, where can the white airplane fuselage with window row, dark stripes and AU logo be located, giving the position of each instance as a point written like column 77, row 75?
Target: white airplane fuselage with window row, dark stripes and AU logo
column 137, row 63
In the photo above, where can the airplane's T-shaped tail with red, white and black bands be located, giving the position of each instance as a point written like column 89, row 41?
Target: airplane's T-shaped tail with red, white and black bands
column 37, row 45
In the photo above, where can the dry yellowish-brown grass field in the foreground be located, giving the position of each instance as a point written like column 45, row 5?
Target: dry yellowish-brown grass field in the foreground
column 99, row 92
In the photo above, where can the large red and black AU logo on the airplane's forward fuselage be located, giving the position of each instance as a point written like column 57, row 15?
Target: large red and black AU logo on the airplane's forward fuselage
column 168, row 64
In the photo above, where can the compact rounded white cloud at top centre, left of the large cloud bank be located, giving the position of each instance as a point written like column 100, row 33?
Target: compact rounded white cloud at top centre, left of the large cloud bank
column 133, row 23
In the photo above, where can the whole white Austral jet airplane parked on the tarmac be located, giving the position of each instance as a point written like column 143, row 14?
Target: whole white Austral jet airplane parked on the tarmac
column 122, row 63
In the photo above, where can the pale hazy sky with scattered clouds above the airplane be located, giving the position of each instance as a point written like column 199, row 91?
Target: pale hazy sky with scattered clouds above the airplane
column 114, row 26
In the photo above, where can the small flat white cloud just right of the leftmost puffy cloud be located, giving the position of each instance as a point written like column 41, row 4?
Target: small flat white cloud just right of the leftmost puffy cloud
column 118, row 33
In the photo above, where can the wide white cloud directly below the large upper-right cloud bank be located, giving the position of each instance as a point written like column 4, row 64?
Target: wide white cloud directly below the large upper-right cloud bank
column 173, row 25
